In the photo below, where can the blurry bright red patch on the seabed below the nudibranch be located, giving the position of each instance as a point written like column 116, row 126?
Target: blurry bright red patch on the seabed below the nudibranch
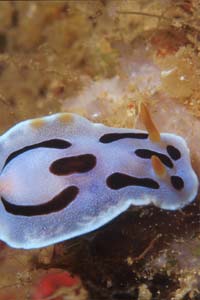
column 52, row 282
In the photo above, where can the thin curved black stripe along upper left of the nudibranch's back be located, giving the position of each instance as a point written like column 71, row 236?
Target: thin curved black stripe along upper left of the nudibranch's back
column 55, row 144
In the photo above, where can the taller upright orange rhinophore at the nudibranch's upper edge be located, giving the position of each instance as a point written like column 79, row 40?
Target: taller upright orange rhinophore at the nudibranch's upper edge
column 154, row 134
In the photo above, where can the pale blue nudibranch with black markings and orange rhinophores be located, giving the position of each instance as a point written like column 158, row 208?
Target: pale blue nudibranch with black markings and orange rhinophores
column 62, row 176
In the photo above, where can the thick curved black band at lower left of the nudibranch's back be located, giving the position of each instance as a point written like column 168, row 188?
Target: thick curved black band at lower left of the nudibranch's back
column 58, row 203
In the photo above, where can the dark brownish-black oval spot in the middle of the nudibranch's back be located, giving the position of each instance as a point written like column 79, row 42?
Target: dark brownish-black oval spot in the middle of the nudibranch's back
column 73, row 164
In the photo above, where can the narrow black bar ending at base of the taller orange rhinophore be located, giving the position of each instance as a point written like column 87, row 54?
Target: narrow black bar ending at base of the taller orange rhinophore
column 112, row 137
